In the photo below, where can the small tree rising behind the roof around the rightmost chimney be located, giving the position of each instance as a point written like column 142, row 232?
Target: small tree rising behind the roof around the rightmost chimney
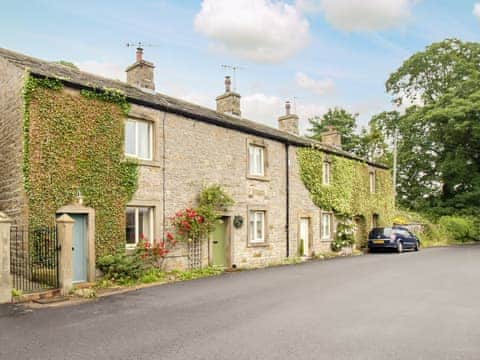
column 342, row 120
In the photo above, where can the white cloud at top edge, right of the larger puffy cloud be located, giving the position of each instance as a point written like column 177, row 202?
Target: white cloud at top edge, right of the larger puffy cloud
column 360, row 15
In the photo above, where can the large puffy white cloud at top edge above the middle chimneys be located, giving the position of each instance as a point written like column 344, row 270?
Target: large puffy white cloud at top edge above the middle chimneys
column 263, row 31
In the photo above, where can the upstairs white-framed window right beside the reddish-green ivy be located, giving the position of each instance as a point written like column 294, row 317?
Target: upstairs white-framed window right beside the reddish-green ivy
column 138, row 139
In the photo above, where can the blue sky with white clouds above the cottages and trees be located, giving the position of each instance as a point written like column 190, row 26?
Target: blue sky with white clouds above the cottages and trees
column 324, row 53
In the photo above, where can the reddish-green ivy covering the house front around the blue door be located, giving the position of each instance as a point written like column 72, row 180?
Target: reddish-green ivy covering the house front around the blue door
column 74, row 141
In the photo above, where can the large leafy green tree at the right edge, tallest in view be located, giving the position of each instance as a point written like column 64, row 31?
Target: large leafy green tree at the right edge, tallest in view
column 439, row 138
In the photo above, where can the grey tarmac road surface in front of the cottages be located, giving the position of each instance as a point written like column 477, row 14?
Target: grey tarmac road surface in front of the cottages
column 423, row 305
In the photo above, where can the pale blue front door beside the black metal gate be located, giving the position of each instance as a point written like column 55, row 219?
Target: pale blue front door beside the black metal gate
column 79, row 248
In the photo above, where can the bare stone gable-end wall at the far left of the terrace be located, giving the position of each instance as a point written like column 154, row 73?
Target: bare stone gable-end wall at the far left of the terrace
column 12, row 196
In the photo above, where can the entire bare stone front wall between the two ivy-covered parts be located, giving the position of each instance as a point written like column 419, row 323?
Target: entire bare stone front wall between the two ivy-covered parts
column 198, row 154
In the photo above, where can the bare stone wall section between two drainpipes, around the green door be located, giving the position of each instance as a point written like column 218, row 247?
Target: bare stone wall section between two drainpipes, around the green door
column 199, row 154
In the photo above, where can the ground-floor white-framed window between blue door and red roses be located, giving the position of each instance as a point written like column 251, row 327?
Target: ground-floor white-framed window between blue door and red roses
column 138, row 225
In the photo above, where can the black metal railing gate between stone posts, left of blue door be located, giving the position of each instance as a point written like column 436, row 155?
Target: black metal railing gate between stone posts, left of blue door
column 34, row 258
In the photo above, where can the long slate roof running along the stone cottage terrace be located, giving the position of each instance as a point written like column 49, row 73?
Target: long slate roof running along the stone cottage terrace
column 80, row 79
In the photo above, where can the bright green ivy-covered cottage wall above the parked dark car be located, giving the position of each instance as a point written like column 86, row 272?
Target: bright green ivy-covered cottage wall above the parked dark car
column 348, row 193
